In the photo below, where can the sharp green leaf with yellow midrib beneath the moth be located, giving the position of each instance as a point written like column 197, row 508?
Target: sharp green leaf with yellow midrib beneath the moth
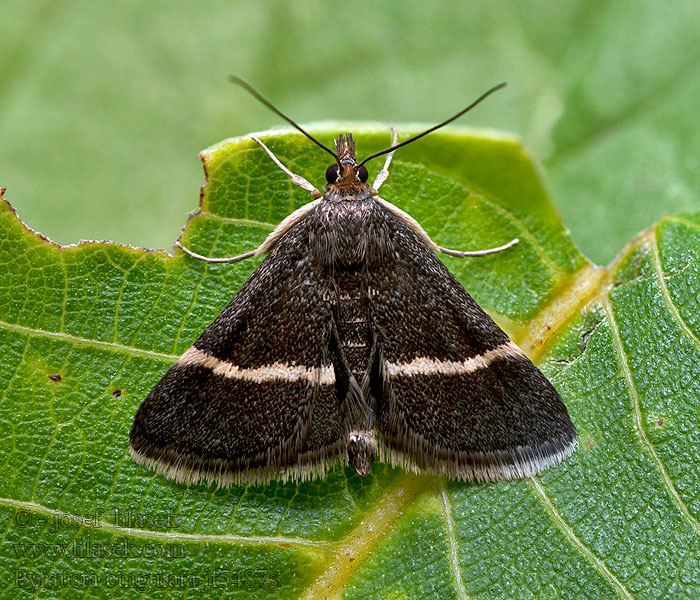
column 86, row 331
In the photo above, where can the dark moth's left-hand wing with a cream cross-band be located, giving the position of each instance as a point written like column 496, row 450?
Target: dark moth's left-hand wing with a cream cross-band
column 254, row 398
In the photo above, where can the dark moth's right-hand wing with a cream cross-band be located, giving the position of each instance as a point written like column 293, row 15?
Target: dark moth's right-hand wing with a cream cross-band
column 457, row 395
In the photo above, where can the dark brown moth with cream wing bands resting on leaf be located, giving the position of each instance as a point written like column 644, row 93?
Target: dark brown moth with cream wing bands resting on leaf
column 351, row 340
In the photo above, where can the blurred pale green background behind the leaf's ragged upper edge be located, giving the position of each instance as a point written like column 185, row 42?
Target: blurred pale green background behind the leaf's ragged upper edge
column 104, row 106
